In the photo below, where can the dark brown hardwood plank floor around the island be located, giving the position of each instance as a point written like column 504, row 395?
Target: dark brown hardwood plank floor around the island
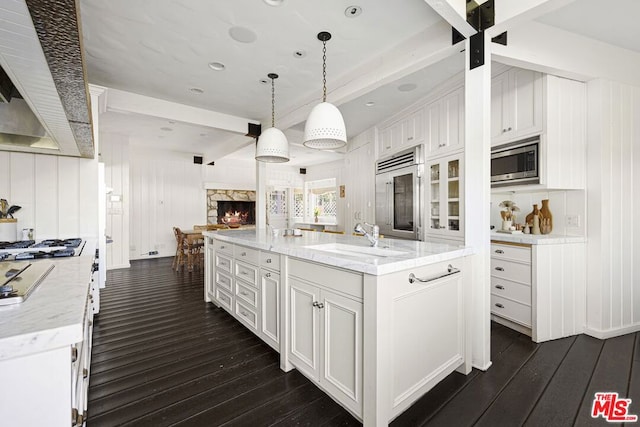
column 162, row 356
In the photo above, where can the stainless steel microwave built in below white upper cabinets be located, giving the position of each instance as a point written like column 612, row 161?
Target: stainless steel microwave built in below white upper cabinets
column 515, row 164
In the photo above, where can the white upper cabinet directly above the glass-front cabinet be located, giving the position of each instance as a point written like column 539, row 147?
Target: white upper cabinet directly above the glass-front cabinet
column 445, row 124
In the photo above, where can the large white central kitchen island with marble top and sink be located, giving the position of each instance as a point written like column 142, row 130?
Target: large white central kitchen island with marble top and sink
column 348, row 316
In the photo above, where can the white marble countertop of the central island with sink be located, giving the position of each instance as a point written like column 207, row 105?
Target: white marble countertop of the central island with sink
column 413, row 253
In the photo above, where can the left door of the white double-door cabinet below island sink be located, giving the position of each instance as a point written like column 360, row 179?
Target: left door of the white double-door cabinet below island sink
column 304, row 349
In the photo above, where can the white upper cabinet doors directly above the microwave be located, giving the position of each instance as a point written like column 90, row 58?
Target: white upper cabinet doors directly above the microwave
column 516, row 105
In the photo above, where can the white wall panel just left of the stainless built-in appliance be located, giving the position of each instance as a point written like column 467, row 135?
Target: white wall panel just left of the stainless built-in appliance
column 359, row 185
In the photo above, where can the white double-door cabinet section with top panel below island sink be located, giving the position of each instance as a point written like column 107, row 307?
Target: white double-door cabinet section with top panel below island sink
column 326, row 329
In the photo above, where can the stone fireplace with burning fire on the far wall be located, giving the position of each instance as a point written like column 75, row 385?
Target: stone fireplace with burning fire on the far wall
column 231, row 206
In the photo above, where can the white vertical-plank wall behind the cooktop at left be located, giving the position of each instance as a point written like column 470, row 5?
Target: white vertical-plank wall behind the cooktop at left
column 57, row 194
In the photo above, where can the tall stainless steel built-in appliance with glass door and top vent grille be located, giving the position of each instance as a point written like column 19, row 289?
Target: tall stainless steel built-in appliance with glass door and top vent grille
column 398, row 189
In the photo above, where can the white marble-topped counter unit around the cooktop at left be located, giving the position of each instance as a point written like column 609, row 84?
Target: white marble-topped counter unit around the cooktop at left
column 45, row 348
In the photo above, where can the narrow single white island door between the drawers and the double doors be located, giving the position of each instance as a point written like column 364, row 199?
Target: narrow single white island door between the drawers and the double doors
column 270, row 308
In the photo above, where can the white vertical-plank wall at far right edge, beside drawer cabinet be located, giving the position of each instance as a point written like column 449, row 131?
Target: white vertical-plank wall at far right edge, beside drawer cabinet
column 613, row 200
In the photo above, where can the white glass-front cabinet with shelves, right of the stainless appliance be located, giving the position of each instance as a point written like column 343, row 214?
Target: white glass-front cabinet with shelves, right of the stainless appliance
column 445, row 208
